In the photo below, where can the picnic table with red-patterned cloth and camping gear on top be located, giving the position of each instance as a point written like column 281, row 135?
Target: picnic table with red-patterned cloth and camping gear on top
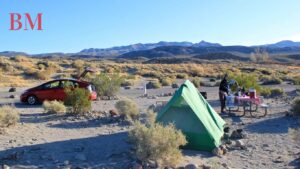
column 248, row 104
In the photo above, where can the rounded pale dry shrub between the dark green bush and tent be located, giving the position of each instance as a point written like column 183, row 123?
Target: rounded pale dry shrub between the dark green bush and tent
column 128, row 109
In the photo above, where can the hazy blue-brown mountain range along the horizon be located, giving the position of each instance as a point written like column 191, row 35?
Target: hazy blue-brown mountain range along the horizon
column 283, row 51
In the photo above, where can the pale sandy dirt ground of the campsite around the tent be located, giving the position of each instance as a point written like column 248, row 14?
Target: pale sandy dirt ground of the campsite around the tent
column 48, row 141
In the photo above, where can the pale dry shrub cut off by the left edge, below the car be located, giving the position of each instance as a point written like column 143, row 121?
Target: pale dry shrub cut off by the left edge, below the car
column 9, row 116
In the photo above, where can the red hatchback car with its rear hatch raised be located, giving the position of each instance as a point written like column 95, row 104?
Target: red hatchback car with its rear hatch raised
column 54, row 90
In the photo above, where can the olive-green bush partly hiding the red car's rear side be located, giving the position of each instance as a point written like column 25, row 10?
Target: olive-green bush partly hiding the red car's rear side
column 79, row 100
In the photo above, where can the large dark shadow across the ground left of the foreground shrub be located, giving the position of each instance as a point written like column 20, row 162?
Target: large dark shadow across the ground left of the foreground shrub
column 100, row 151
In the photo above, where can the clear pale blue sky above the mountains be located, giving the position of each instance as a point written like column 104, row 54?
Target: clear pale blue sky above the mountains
column 72, row 25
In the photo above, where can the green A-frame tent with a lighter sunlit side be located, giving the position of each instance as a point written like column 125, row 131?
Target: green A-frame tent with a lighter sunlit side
column 193, row 115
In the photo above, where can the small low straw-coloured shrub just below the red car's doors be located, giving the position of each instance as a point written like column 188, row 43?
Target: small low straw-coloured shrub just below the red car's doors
column 54, row 107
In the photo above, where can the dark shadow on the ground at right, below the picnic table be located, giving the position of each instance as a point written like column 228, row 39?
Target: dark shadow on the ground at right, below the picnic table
column 276, row 125
